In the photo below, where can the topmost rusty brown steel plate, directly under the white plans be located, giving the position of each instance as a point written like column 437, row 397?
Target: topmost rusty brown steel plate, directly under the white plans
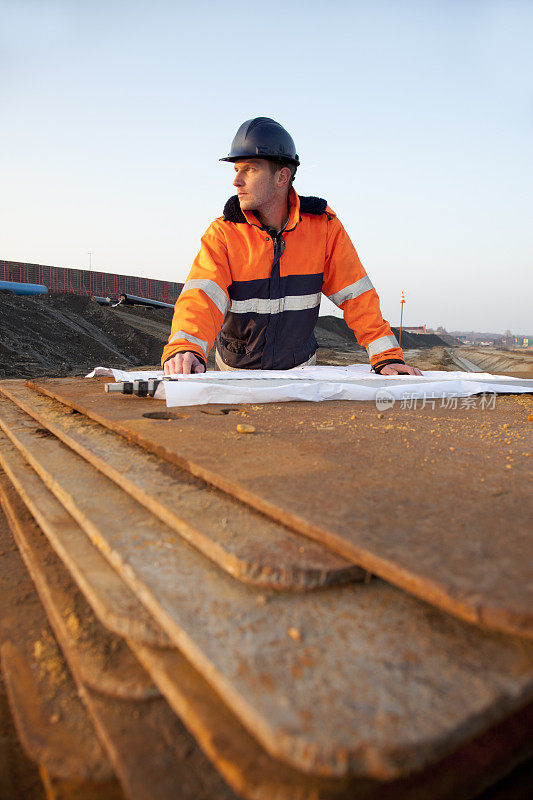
column 435, row 500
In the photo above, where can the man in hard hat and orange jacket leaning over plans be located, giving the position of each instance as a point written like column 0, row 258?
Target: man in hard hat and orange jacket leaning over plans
column 257, row 281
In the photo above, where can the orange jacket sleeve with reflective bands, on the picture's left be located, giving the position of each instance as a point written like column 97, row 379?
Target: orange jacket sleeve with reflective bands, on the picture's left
column 203, row 302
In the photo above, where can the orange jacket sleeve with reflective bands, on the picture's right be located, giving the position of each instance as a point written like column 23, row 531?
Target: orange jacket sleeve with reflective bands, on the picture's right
column 349, row 287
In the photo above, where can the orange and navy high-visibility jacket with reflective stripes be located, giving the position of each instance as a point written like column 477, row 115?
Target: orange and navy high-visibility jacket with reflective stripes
column 259, row 293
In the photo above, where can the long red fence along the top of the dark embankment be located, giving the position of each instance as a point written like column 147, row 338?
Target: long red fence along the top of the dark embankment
column 88, row 282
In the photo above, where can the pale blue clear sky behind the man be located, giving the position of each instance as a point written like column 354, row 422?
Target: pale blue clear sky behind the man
column 413, row 118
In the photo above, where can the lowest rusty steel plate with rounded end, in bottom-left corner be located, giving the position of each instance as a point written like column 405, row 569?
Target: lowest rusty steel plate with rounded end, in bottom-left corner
column 50, row 719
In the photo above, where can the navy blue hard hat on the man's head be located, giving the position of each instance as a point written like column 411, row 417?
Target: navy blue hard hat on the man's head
column 263, row 137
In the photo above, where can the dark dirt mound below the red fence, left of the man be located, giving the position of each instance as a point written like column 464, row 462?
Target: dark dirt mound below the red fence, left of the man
column 66, row 334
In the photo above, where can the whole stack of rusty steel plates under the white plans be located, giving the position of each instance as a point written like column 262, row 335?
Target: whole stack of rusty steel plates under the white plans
column 337, row 604
